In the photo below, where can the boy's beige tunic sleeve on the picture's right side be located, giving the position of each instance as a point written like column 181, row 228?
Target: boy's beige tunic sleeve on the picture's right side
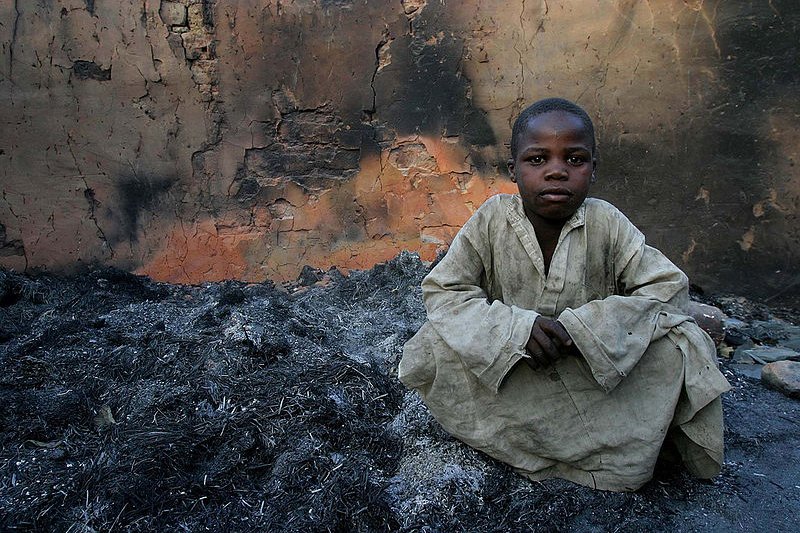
column 614, row 332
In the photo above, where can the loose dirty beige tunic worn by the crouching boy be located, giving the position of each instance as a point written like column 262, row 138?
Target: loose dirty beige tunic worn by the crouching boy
column 600, row 419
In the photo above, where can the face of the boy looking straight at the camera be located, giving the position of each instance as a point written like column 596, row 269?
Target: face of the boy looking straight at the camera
column 553, row 167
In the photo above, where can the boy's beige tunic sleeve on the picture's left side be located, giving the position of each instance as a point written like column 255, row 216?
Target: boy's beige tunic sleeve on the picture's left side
column 489, row 336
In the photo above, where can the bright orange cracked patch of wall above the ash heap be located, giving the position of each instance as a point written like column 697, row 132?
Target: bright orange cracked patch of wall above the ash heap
column 393, row 209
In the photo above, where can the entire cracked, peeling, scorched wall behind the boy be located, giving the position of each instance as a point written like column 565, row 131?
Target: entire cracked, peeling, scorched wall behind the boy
column 199, row 140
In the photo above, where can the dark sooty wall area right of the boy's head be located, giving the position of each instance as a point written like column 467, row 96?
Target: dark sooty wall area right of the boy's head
column 694, row 195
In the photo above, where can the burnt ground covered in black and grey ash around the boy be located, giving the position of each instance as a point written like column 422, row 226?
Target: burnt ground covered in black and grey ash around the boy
column 130, row 405
